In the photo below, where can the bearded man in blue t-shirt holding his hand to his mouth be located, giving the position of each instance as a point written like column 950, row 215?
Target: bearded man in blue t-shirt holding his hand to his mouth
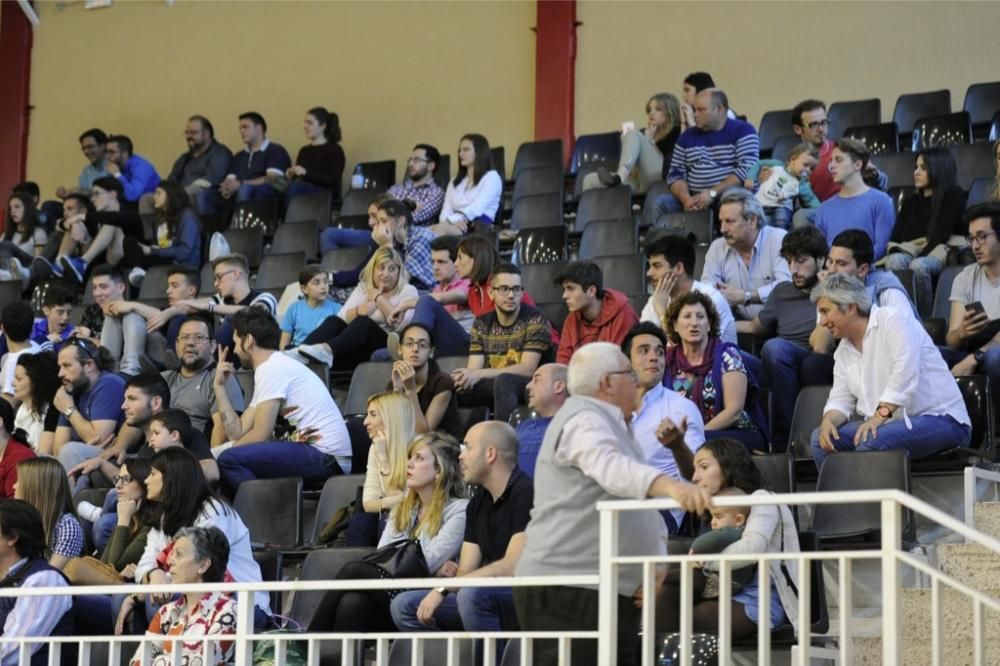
column 89, row 400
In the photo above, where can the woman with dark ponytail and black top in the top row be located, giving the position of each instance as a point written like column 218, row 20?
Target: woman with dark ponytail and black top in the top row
column 320, row 163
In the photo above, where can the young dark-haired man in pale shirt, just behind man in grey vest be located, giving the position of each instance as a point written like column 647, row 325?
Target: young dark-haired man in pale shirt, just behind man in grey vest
column 667, row 426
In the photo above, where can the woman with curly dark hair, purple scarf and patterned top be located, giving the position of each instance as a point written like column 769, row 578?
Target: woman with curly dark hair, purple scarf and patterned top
column 709, row 371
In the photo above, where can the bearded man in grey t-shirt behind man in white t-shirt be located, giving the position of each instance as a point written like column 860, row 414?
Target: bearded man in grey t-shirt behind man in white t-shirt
column 191, row 384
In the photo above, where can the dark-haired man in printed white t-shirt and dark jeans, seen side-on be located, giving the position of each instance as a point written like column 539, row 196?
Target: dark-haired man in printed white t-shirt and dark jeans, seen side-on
column 316, row 445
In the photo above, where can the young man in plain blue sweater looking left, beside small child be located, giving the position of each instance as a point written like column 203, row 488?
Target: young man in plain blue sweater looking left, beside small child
column 856, row 206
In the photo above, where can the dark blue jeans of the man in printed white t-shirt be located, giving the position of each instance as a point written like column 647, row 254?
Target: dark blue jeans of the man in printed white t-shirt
column 275, row 460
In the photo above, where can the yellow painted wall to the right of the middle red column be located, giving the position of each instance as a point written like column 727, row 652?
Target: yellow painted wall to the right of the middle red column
column 770, row 55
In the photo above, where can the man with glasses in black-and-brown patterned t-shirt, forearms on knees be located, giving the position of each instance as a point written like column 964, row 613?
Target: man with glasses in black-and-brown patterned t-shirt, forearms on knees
column 505, row 348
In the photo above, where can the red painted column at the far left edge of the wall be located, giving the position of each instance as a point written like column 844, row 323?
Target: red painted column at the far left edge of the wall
column 15, row 72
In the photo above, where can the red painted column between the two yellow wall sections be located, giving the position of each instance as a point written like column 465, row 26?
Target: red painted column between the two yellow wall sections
column 555, row 72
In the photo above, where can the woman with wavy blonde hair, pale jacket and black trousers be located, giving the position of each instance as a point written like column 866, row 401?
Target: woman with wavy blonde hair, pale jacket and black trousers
column 432, row 512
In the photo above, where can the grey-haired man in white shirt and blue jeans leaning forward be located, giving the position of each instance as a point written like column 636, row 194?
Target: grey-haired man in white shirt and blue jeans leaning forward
column 886, row 370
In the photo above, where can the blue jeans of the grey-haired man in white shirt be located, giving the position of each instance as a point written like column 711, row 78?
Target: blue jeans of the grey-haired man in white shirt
column 929, row 435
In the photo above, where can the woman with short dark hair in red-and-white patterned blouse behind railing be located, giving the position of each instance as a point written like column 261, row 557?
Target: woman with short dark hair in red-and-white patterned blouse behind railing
column 199, row 555
